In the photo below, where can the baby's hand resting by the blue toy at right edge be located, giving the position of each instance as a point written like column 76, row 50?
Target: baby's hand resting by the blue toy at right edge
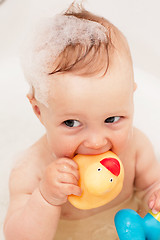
column 154, row 202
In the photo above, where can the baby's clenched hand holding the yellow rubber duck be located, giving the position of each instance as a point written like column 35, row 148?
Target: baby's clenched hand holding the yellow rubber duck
column 60, row 180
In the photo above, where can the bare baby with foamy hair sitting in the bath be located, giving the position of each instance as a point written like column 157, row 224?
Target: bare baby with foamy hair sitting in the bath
column 80, row 72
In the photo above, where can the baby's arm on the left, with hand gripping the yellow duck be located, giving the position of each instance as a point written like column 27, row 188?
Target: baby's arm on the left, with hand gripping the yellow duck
column 35, row 204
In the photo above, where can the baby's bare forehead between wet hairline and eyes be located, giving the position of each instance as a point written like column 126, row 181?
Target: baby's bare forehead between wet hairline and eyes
column 73, row 97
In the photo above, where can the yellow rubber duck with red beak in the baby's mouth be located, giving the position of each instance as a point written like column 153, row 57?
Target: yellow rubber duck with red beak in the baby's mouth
column 101, row 180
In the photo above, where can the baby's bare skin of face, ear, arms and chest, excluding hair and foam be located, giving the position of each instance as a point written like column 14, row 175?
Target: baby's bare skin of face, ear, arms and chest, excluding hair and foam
column 85, row 116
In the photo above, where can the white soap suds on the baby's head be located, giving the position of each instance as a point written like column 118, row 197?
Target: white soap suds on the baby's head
column 50, row 38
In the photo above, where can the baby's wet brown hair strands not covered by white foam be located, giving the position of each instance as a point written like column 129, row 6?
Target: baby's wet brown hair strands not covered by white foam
column 85, row 58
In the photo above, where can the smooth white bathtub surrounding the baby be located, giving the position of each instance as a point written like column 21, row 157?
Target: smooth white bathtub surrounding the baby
column 19, row 127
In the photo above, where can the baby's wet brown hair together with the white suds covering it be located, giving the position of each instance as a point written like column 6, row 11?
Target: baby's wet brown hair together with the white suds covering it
column 75, row 41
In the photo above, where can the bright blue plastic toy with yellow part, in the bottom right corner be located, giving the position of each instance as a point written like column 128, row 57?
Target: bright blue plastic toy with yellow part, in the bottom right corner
column 130, row 226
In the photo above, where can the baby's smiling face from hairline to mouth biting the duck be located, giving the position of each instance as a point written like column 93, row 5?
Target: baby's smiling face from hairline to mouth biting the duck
column 90, row 115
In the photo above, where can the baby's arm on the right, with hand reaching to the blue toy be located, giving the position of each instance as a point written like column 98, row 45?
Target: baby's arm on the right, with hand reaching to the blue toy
column 147, row 172
